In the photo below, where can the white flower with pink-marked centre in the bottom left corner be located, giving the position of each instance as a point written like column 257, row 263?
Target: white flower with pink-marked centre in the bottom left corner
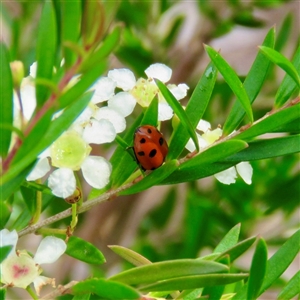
column 19, row 269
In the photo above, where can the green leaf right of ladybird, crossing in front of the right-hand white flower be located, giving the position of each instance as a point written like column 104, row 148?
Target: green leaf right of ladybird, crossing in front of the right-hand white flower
column 215, row 153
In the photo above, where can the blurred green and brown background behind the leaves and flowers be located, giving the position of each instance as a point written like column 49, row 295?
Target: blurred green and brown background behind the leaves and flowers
column 189, row 219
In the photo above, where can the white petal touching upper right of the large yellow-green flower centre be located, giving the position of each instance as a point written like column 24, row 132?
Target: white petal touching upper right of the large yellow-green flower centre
column 99, row 132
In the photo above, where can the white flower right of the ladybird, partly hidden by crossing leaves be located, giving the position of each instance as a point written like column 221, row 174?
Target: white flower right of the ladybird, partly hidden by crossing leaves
column 244, row 169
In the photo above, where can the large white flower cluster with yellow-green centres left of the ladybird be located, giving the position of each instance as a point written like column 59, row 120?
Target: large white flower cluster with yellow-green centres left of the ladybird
column 98, row 125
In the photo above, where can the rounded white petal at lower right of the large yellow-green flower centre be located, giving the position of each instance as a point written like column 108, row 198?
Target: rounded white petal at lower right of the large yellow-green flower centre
column 96, row 171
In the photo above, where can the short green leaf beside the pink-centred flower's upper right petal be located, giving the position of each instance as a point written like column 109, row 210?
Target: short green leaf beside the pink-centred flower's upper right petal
column 84, row 251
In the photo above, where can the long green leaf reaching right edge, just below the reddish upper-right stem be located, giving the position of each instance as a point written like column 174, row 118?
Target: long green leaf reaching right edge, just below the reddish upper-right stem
column 271, row 122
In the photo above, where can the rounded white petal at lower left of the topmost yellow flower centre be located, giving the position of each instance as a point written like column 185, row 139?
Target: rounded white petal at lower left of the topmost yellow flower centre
column 123, row 103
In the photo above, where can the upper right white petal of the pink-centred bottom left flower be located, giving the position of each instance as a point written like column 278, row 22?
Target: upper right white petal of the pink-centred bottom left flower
column 49, row 250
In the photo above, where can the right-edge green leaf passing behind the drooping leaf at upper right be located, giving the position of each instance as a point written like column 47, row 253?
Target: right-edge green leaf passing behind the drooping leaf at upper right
column 288, row 86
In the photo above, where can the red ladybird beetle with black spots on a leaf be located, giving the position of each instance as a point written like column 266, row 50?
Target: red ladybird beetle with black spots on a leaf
column 150, row 147
